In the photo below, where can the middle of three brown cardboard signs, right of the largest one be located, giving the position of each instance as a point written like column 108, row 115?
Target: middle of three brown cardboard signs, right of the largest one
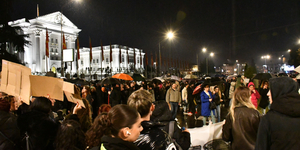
column 47, row 86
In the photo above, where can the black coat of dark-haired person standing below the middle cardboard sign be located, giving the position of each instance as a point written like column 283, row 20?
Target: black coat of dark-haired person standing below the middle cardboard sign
column 40, row 128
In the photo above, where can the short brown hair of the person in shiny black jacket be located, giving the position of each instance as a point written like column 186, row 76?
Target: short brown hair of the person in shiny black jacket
column 141, row 100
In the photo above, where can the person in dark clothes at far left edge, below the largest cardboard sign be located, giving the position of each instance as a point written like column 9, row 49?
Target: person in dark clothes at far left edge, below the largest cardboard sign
column 9, row 132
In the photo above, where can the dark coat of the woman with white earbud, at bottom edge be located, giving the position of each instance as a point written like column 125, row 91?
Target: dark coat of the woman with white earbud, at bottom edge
column 110, row 143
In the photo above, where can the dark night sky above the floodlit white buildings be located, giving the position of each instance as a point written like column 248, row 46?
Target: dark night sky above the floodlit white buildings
column 262, row 27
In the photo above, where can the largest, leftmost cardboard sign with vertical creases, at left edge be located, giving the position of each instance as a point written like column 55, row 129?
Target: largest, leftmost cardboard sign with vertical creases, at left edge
column 15, row 80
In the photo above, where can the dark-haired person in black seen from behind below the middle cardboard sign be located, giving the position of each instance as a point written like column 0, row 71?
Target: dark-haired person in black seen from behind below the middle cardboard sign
column 37, row 128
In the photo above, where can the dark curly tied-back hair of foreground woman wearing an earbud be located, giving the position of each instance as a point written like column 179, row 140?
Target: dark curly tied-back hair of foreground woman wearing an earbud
column 120, row 116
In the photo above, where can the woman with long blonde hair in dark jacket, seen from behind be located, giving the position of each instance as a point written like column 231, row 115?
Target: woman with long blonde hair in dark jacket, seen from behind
column 242, row 122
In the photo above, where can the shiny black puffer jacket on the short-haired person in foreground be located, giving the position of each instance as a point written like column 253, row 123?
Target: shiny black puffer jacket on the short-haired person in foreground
column 152, row 137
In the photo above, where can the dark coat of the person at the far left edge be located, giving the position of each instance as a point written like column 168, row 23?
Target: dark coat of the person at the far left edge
column 8, row 127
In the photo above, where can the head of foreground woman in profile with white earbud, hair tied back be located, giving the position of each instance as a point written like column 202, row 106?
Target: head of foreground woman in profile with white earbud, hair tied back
column 122, row 121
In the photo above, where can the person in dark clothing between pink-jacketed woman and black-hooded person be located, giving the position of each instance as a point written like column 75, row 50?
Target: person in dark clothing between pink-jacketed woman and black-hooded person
column 264, row 101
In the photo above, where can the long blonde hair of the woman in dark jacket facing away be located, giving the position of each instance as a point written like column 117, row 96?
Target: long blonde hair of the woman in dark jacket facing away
column 241, row 97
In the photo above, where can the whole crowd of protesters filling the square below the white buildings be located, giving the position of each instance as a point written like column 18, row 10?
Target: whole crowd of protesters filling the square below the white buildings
column 144, row 116
